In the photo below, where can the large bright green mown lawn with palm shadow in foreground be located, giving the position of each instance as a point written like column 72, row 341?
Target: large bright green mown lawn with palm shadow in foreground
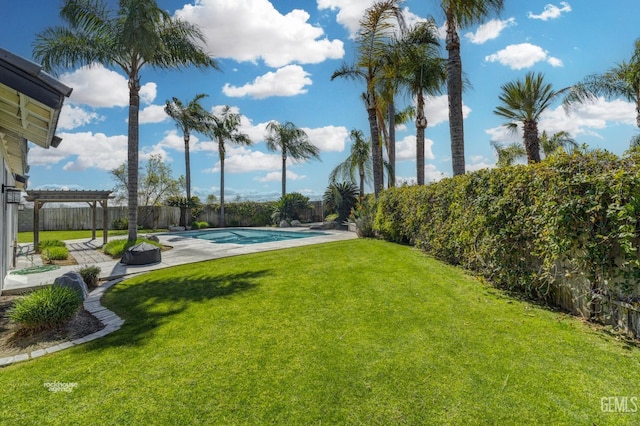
column 358, row 332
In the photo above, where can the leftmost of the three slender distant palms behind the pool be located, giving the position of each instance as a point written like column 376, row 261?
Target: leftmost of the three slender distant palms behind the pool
column 187, row 118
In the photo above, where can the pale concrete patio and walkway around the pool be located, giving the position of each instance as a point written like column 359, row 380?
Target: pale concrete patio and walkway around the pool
column 184, row 250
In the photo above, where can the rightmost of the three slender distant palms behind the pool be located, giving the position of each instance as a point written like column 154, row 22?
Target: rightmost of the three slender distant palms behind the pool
column 291, row 142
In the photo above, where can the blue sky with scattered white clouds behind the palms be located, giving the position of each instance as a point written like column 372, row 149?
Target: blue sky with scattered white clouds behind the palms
column 277, row 58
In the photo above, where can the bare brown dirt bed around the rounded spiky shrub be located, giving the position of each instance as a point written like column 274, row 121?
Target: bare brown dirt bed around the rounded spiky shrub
column 12, row 343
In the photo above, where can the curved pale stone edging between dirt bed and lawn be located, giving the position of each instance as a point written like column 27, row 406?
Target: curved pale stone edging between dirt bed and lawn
column 111, row 321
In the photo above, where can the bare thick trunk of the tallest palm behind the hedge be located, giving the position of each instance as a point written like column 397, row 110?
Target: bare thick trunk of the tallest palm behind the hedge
column 454, row 89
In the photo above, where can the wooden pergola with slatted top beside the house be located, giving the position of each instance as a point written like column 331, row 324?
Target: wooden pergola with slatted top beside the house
column 40, row 197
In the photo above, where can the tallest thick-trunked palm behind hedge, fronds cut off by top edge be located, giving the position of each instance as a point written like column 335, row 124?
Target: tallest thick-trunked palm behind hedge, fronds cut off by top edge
column 460, row 14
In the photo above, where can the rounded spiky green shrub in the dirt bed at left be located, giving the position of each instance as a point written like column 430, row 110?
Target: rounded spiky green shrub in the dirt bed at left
column 45, row 308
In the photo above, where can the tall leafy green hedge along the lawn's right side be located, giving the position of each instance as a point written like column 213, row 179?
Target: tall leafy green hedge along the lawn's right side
column 565, row 231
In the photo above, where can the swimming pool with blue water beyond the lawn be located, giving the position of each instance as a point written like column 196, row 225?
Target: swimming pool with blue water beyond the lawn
column 247, row 236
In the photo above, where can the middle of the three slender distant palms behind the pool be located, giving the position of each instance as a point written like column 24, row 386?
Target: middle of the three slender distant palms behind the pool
column 225, row 127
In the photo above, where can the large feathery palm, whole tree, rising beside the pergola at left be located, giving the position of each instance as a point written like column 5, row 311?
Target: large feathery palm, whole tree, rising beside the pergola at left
column 137, row 34
